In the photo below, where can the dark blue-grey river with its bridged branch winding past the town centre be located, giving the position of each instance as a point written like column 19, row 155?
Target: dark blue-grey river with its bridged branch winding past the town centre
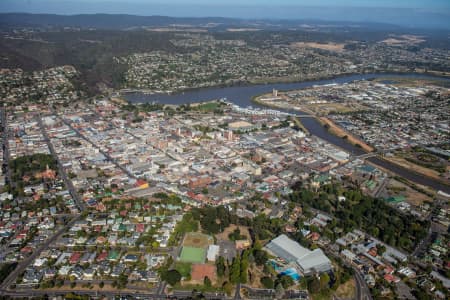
column 242, row 96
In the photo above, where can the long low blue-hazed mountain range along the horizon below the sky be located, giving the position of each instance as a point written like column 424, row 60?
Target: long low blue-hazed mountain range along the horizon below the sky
column 122, row 22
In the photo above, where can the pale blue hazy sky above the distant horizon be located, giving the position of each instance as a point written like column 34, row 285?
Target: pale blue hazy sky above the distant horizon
column 413, row 13
